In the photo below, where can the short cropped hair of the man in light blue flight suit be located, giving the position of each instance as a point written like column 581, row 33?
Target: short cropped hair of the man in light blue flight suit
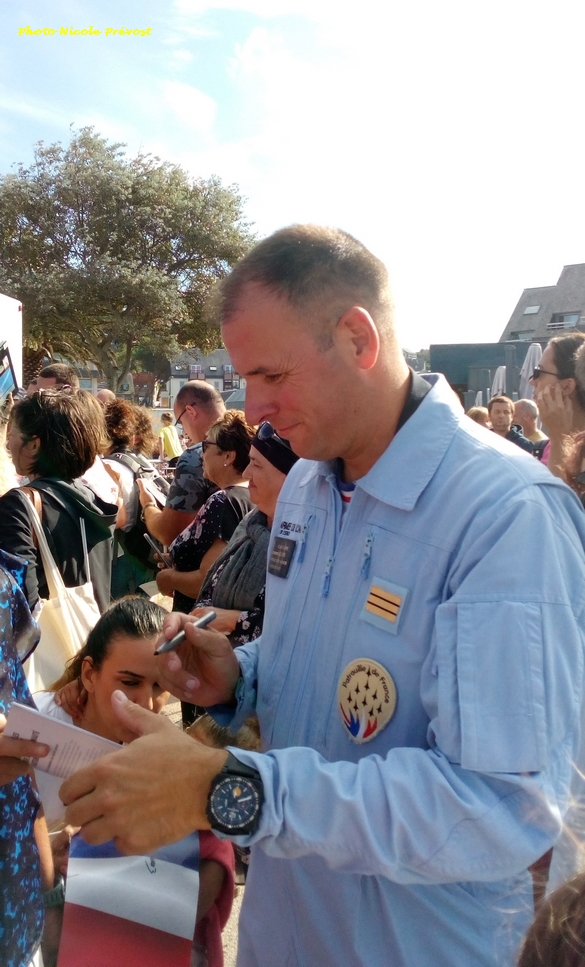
column 321, row 272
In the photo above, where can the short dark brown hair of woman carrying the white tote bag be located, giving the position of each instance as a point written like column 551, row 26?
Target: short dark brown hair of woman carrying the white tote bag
column 70, row 430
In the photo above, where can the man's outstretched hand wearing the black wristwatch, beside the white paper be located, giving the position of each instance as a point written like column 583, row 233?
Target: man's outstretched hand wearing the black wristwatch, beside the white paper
column 151, row 793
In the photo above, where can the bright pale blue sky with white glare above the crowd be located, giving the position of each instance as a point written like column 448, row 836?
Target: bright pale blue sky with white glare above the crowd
column 446, row 136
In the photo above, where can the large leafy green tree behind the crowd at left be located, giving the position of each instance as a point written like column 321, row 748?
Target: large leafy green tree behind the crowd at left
column 108, row 253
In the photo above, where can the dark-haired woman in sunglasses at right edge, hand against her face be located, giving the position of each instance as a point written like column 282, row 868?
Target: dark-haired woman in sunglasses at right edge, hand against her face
column 559, row 397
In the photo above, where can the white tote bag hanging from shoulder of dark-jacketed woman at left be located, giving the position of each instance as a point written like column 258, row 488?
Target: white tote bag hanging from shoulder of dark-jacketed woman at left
column 65, row 618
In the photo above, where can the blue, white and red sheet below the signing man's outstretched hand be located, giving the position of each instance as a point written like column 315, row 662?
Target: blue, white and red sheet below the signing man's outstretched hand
column 138, row 911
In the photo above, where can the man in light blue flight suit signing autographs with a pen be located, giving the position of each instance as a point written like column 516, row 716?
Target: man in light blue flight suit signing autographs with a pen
column 420, row 673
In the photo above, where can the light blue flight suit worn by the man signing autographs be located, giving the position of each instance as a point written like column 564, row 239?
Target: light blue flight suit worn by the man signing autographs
column 411, row 849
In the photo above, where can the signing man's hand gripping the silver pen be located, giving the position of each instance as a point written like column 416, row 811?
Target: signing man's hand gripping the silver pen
column 203, row 670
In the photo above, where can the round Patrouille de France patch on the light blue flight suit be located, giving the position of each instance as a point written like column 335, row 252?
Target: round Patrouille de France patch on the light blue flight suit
column 367, row 698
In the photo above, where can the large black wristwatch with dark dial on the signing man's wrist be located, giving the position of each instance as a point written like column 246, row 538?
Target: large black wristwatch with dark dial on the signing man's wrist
column 235, row 798
